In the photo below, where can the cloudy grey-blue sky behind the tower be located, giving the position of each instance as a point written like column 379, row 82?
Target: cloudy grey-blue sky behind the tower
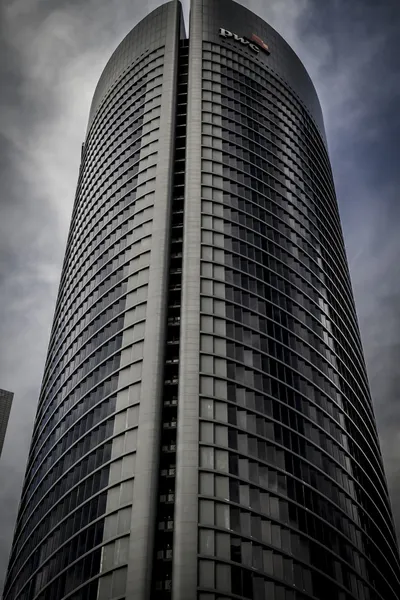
column 51, row 55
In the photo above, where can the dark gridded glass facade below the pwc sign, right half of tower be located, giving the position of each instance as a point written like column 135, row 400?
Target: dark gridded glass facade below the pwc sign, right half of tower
column 291, row 482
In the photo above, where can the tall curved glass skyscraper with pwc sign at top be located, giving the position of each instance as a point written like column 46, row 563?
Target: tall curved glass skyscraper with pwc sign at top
column 205, row 428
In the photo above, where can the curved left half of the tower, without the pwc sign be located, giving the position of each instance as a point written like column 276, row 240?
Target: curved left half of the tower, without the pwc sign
column 91, row 443
